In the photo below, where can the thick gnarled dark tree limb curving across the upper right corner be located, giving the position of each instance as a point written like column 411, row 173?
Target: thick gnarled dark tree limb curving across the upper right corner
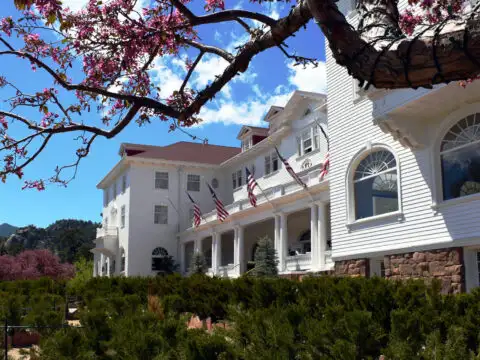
column 445, row 52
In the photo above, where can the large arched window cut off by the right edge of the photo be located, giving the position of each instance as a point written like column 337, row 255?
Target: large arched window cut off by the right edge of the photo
column 460, row 158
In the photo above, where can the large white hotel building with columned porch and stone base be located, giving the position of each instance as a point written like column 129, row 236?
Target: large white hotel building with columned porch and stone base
column 401, row 200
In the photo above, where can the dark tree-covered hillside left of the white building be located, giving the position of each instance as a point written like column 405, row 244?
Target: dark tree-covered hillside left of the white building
column 69, row 239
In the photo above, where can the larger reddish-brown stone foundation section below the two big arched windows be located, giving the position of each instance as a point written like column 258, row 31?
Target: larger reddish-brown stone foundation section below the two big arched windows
column 443, row 264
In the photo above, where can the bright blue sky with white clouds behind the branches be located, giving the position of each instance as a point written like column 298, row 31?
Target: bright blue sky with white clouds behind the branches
column 269, row 80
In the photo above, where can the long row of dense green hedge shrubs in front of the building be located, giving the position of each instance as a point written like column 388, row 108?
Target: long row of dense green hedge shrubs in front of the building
column 318, row 318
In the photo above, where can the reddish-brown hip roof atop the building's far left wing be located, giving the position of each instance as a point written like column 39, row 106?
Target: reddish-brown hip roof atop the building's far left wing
column 183, row 151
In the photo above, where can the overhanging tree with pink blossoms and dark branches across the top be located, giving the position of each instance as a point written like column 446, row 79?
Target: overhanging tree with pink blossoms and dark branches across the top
column 432, row 41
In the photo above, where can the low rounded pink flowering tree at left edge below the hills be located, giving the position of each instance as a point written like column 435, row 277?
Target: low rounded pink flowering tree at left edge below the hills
column 34, row 264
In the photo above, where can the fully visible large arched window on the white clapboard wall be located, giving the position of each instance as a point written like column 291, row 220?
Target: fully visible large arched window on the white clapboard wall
column 375, row 184
